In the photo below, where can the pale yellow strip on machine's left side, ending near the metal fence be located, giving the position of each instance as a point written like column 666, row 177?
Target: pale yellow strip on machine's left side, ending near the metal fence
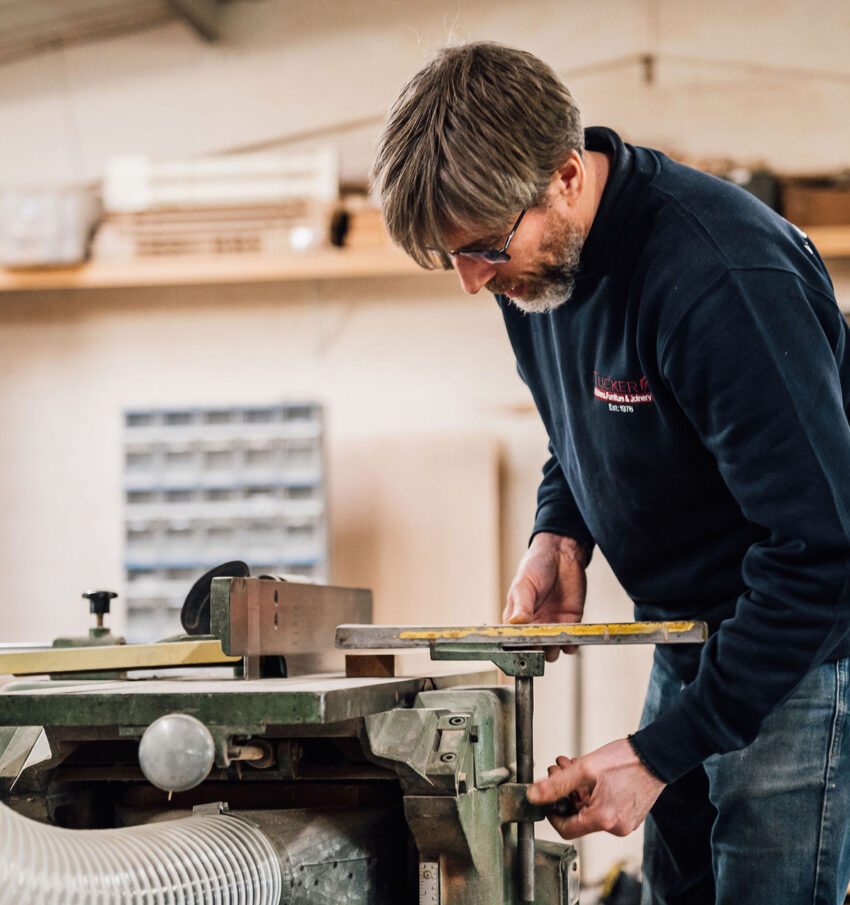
column 114, row 656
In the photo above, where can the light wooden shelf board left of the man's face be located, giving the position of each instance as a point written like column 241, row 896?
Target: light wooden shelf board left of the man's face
column 324, row 264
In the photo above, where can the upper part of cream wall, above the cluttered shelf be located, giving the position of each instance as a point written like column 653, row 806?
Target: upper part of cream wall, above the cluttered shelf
column 762, row 81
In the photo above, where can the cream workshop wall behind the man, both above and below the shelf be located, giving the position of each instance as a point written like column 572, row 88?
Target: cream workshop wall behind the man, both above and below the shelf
column 408, row 367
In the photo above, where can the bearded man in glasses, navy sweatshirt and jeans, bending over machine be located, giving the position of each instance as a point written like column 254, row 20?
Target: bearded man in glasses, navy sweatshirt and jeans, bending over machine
column 686, row 354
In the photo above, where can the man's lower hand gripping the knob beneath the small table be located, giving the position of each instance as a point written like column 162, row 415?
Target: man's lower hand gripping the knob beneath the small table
column 611, row 788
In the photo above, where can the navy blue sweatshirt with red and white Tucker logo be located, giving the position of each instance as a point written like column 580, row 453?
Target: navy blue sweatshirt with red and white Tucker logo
column 695, row 390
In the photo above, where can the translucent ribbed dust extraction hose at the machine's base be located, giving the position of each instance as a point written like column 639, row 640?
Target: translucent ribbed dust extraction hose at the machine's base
column 215, row 859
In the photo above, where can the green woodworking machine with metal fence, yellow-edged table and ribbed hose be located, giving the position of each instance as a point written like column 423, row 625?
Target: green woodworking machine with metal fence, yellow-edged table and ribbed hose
column 265, row 758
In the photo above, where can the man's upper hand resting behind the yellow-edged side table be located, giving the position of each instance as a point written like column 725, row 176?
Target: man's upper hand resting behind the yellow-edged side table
column 550, row 584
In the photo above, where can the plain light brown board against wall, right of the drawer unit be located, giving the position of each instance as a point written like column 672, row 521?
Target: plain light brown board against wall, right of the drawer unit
column 415, row 518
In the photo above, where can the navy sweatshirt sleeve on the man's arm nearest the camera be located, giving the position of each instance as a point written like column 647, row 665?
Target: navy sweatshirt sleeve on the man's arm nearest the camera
column 754, row 365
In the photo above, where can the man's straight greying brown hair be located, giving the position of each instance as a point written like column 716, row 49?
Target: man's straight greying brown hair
column 474, row 137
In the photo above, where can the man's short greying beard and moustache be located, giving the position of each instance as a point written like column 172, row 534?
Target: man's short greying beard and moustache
column 553, row 283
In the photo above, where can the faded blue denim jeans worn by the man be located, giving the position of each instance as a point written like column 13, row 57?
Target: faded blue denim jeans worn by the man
column 765, row 825
